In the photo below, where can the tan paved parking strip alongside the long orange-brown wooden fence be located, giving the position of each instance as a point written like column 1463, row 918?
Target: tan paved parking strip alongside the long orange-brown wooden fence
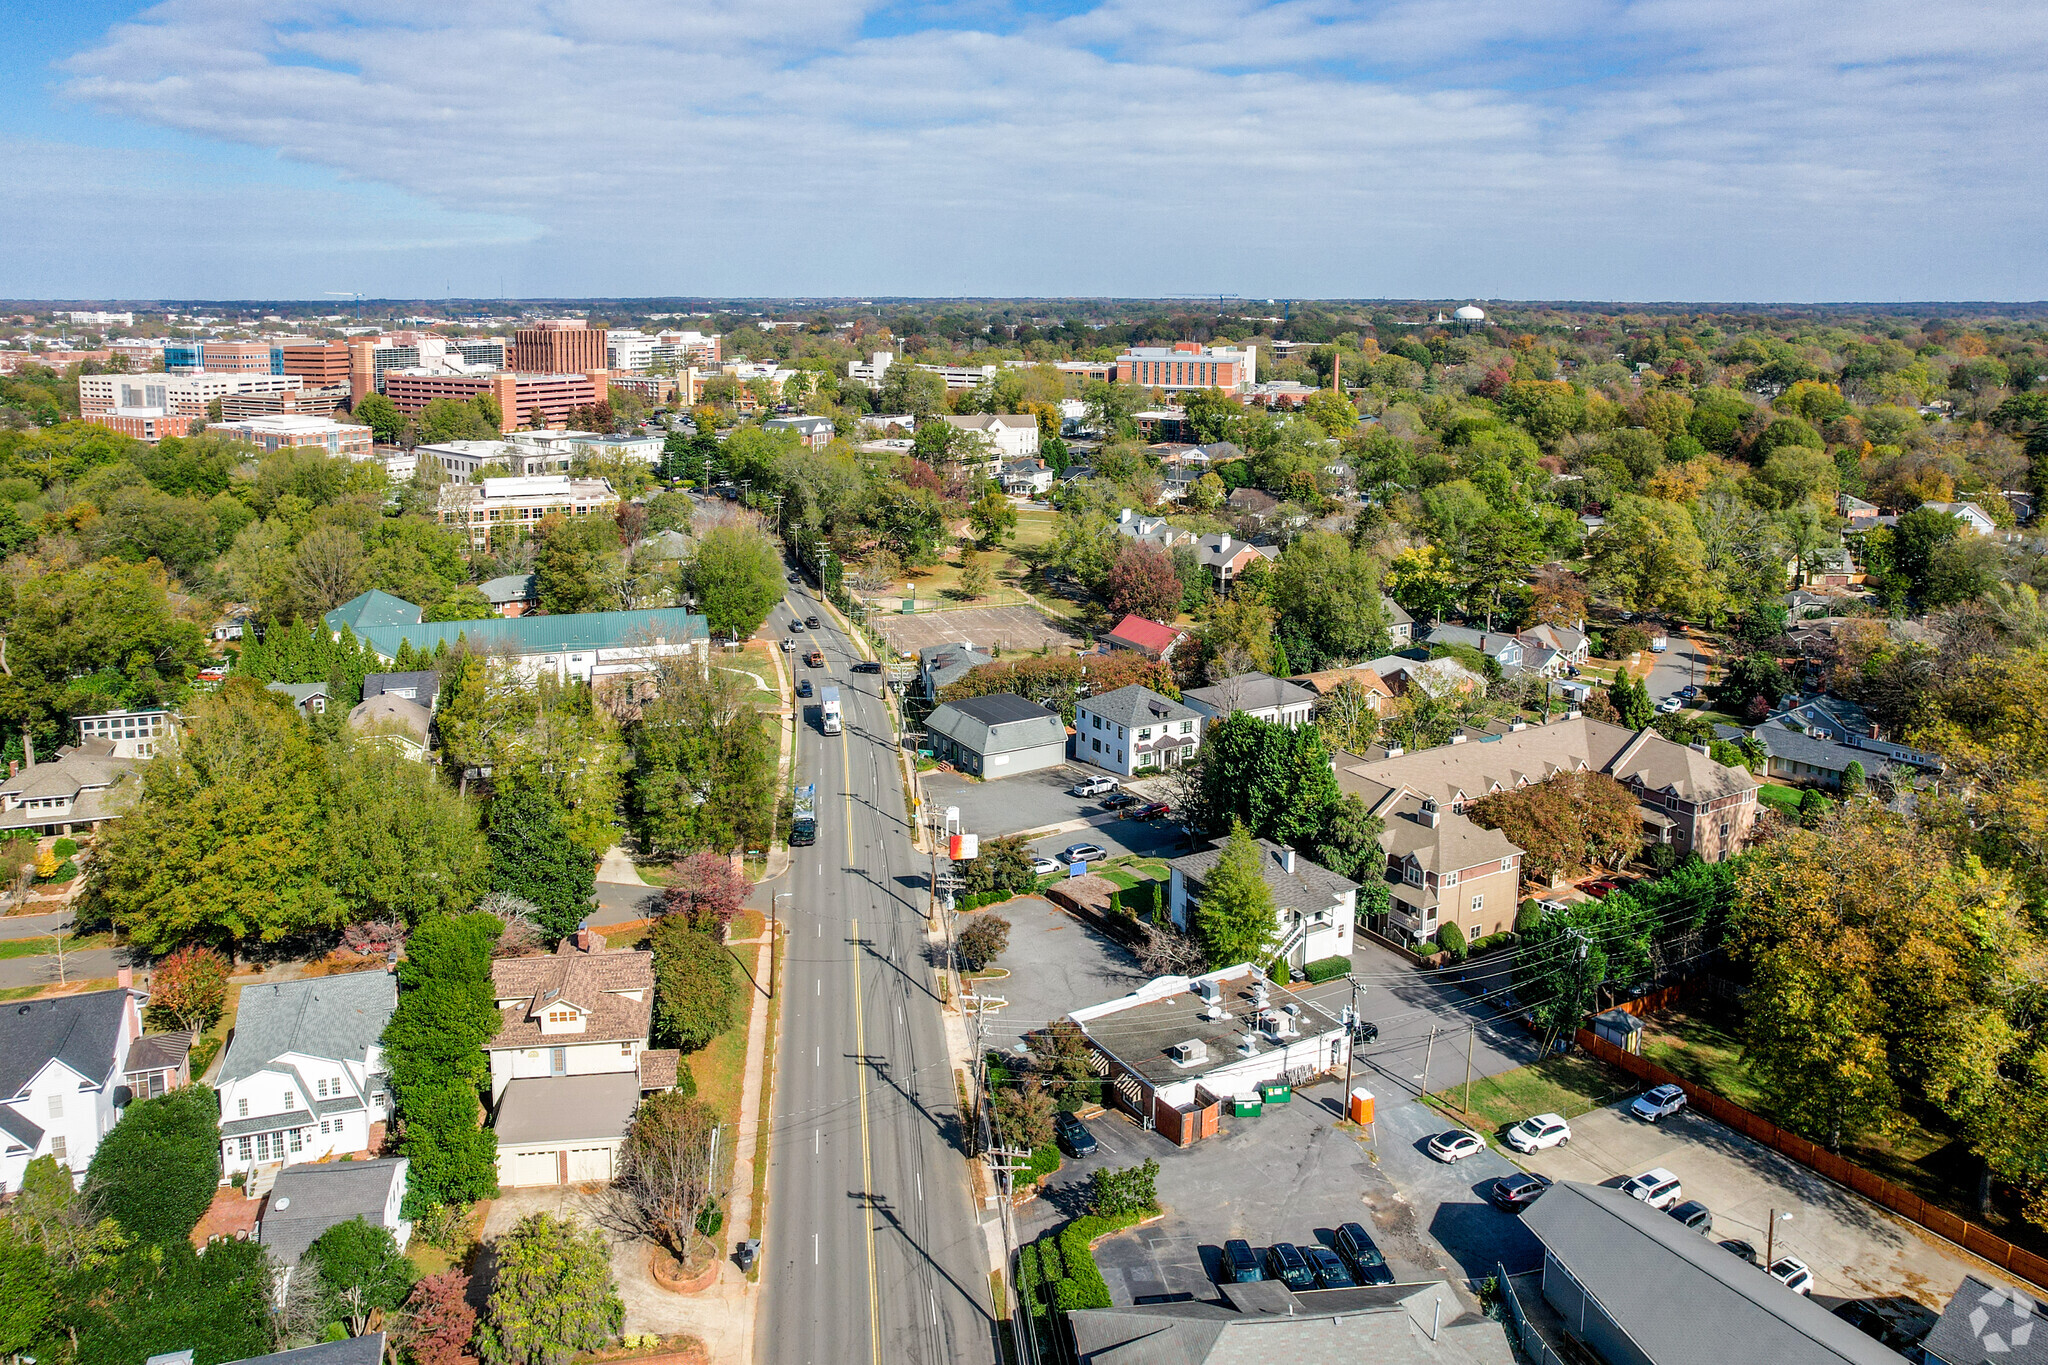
column 1854, row 1247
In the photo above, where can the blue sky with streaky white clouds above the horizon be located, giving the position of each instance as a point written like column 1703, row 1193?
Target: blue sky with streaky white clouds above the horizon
column 1713, row 150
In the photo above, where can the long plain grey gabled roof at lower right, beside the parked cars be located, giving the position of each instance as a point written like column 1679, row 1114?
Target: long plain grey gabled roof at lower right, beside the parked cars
column 1680, row 1296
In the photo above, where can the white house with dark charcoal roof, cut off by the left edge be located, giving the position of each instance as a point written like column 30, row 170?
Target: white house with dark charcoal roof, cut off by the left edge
column 62, row 1077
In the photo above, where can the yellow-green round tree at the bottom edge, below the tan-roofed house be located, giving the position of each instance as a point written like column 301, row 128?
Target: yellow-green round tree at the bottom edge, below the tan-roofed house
column 554, row 1294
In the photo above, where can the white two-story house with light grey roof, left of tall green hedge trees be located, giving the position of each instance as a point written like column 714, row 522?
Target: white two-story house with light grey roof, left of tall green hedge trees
column 304, row 1077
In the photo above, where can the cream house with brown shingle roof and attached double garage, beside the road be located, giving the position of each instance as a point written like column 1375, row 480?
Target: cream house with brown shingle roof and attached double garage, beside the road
column 570, row 1061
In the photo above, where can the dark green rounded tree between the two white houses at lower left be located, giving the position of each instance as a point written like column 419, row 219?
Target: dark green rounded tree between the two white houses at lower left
column 157, row 1170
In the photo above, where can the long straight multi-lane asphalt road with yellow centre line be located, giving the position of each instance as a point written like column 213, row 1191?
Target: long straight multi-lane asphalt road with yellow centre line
column 871, row 1249
